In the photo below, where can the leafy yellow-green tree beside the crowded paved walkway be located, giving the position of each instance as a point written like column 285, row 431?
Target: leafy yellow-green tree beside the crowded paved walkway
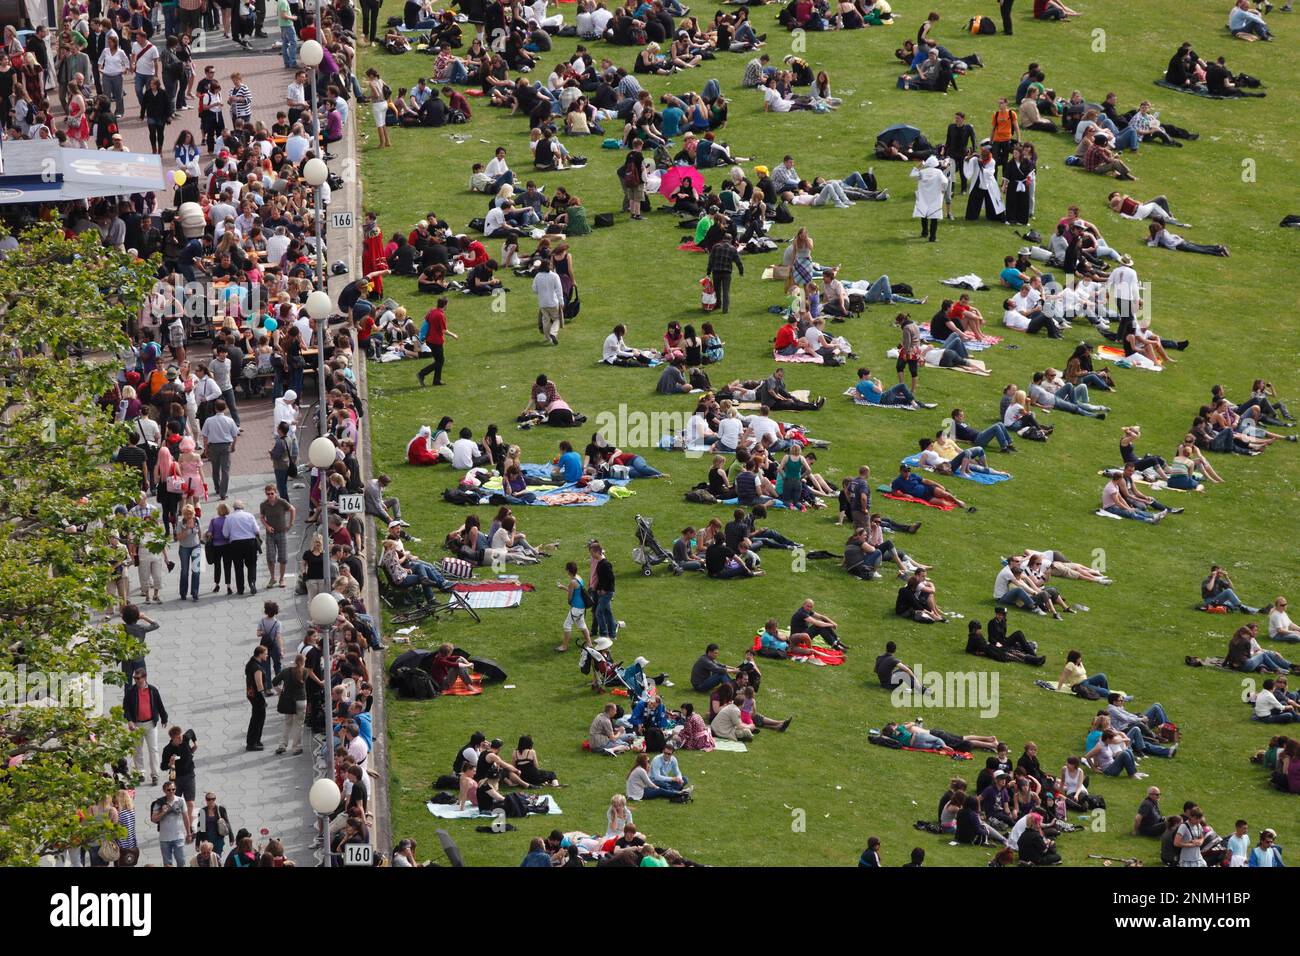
column 60, row 300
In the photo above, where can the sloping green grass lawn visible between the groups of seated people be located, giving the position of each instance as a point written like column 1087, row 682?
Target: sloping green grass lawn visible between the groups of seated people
column 1234, row 185
